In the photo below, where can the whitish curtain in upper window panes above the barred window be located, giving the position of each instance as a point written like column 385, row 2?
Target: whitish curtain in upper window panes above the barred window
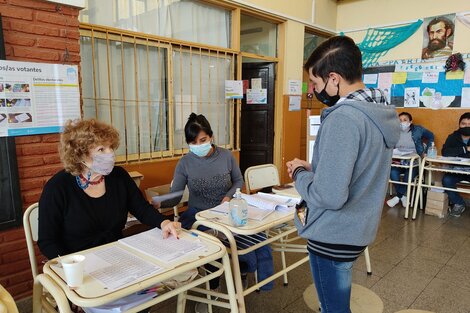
column 186, row 20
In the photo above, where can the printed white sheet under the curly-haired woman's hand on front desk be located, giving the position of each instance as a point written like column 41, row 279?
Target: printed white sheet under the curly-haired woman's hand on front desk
column 166, row 250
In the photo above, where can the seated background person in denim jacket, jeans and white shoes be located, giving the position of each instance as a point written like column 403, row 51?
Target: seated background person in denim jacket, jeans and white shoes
column 411, row 139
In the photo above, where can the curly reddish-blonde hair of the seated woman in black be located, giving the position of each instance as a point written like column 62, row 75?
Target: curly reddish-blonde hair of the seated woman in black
column 79, row 137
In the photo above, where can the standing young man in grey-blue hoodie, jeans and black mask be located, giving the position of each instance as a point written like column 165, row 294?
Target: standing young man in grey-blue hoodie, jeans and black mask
column 344, row 187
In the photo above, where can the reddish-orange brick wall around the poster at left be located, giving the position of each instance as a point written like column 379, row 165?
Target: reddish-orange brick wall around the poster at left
column 35, row 31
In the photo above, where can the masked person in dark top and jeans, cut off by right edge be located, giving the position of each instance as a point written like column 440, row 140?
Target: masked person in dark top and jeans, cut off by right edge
column 457, row 145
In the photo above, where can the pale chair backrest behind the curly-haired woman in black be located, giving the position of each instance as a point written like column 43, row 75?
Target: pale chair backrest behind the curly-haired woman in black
column 30, row 223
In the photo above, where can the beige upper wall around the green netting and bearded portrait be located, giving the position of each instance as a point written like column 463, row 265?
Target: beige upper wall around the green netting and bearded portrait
column 353, row 14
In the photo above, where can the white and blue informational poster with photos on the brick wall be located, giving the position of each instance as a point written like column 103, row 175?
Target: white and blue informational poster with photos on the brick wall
column 37, row 98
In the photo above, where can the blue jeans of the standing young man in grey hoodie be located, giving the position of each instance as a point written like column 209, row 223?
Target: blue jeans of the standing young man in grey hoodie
column 333, row 283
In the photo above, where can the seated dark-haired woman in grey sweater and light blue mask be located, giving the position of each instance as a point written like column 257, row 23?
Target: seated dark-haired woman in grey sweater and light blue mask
column 212, row 176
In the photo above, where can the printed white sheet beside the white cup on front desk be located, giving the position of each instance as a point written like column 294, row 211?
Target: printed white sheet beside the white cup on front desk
column 116, row 268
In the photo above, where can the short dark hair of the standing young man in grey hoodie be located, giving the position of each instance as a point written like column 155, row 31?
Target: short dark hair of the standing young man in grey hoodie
column 337, row 54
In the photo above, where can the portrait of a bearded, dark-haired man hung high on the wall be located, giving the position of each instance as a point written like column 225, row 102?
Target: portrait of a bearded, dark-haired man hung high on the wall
column 438, row 36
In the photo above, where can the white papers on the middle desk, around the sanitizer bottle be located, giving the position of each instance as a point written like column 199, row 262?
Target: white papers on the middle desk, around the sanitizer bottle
column 261, row 205
